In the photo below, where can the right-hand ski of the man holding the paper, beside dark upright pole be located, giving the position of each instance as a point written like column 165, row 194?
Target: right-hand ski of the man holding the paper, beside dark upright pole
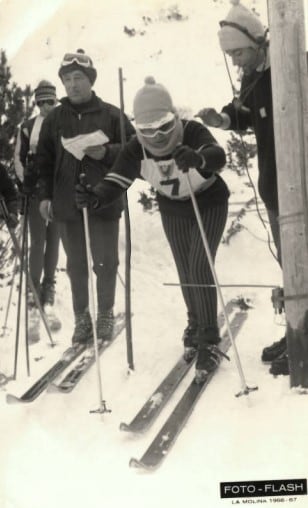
column 72, row 378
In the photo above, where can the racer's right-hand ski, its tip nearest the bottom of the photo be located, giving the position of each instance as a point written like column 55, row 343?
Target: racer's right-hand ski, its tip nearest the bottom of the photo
column 169, row 432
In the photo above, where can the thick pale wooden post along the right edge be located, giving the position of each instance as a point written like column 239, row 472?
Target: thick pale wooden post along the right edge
column 290, row 89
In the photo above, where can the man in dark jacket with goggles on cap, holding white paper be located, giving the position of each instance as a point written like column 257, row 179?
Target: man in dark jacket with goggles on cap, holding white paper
column 82, row 136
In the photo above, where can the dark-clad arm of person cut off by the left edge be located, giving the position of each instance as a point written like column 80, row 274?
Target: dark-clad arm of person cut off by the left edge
column 9, row 199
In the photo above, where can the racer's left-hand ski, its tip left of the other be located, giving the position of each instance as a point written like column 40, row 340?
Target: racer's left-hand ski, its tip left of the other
column 159, row 398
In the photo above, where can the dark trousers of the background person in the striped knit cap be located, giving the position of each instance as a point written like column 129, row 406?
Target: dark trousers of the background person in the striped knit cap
column 44, row 245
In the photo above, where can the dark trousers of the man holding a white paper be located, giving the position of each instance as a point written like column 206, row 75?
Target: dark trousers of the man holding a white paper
column 104, row 248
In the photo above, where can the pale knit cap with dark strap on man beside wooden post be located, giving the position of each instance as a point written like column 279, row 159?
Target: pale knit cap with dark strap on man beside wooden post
column 231, row 37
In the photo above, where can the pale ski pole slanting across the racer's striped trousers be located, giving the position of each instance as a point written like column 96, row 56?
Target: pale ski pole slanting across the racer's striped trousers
column 245, row 388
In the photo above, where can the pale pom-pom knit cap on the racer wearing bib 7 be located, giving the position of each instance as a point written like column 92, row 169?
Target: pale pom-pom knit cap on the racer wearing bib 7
column 152, row 105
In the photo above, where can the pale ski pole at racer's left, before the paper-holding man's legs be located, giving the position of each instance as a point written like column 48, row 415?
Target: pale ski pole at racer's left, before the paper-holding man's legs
column 102, row 403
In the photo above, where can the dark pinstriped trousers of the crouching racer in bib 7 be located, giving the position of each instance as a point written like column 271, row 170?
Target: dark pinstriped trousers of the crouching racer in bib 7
column 191, row 261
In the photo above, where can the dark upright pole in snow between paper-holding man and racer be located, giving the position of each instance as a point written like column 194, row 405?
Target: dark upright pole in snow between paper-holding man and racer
column 128, row 322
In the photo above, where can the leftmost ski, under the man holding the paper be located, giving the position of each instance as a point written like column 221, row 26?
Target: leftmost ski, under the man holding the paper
column 41, row 384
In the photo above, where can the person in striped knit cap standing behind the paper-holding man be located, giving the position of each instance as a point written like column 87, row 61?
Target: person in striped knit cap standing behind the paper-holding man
column 44, row 236
